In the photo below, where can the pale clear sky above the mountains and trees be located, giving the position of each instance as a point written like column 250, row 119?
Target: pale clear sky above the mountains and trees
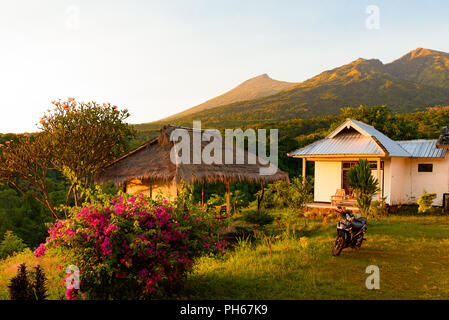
column 157, row 58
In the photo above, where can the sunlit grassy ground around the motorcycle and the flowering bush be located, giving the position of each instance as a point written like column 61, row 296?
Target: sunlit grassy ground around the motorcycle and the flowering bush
column 412, row 253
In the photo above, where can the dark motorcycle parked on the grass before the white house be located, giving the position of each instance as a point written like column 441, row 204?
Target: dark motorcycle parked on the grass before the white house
column 350, row 231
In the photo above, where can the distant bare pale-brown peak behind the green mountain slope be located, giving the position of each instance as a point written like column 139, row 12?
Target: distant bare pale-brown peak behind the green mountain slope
column 257, row 87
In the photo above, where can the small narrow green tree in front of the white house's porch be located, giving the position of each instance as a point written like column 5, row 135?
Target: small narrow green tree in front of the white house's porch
column 364, row 185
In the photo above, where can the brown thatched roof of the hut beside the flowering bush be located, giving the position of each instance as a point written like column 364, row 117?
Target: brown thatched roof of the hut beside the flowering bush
column 151, row 161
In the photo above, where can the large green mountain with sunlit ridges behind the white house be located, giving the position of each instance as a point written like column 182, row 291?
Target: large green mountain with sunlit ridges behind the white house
column 415, row 81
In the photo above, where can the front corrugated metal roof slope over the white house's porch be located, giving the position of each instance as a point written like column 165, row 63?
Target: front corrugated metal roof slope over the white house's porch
column 341, row 145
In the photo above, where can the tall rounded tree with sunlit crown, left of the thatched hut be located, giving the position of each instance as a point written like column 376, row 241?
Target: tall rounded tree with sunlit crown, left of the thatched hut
column 84, row 137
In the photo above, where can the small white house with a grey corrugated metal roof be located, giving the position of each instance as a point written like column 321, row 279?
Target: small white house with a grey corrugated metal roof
column 404, row 169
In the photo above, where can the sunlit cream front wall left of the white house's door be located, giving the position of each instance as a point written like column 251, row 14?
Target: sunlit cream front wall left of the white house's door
column 327, row 180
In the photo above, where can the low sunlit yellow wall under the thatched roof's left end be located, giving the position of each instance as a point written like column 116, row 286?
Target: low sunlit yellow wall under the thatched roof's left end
column 167, row 190
